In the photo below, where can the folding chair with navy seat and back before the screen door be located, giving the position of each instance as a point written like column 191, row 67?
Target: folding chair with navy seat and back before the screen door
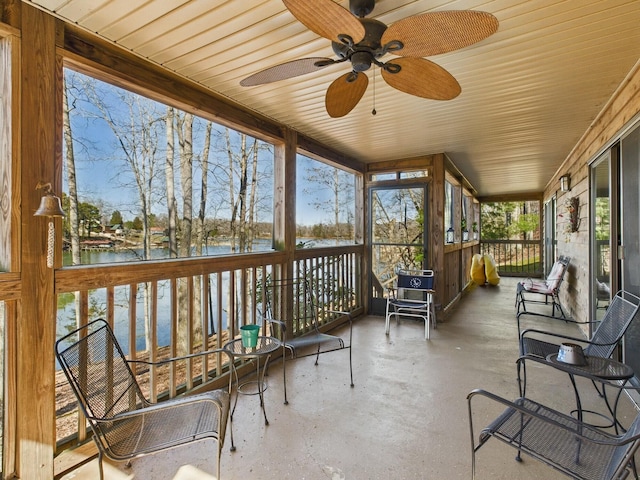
column 412, row 297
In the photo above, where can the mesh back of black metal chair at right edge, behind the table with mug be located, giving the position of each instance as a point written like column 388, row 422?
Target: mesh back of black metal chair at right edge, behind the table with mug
column 621, row 311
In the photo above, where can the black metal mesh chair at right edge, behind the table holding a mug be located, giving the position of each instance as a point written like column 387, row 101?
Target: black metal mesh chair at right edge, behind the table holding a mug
column 615, row 322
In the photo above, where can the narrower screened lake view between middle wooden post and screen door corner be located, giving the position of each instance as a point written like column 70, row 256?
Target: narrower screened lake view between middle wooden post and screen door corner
column 325, row 204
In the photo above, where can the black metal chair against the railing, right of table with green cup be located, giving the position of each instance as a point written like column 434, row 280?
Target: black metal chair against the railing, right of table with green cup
column 291, row 310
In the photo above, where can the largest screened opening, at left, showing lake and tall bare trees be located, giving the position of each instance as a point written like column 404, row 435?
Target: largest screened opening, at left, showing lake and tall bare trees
column 144, row 180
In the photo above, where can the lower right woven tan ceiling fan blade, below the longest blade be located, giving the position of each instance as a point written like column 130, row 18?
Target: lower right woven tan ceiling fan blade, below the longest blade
column 422, row 78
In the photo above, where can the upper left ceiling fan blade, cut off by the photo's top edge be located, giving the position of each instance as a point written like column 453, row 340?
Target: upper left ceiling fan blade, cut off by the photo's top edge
column 326, row 18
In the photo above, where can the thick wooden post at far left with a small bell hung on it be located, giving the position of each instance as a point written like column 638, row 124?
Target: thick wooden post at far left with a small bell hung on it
column 35, row 436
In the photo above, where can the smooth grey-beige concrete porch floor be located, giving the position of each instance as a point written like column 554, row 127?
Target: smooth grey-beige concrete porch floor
column 406, row 417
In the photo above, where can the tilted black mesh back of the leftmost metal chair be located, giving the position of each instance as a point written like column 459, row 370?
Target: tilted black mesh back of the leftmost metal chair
column 98, row 372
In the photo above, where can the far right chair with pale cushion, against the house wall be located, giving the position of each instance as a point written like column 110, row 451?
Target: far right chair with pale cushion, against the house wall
column 548, row 288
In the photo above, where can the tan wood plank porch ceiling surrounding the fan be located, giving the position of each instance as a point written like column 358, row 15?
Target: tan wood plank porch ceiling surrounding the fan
column 529, row 91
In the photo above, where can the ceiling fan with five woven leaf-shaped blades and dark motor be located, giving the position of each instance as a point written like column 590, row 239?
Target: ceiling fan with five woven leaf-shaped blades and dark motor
column 364, row 41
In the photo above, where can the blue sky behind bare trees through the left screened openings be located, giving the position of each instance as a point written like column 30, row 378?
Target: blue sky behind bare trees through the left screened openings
column 105, row 178
